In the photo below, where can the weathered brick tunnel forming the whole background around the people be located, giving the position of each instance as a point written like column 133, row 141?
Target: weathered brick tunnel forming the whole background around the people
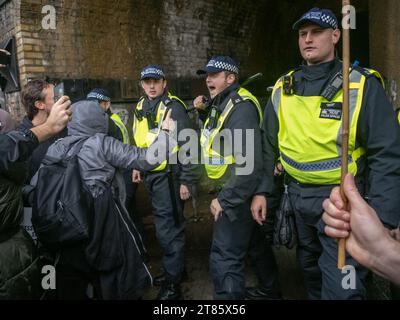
column 106, row 43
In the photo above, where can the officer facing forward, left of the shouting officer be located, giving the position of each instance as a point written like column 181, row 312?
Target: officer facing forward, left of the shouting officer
column 168, row 184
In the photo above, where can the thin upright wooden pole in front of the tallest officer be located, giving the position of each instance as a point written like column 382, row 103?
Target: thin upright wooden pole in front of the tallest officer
column 345, row 127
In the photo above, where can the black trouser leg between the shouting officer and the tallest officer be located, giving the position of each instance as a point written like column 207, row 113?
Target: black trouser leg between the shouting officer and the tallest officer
column 264, row 263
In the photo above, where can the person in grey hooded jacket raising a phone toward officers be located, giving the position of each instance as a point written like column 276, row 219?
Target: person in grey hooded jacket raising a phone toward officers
column 111, row 260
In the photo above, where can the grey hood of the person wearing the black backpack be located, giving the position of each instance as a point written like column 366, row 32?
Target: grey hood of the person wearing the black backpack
column 88, row 118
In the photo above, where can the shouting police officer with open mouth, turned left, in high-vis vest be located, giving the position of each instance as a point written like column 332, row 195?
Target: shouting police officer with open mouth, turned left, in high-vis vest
column 230, row 112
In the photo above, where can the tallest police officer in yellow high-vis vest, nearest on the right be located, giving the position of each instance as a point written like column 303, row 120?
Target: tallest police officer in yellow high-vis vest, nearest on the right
column 302, row 129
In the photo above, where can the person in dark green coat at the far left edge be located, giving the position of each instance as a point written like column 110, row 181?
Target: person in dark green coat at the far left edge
column 19, row 264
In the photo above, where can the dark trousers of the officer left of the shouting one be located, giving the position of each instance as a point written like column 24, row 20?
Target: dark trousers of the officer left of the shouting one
column 170, row 235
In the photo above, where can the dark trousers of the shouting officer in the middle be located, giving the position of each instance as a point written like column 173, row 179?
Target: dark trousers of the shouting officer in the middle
column 231, row 239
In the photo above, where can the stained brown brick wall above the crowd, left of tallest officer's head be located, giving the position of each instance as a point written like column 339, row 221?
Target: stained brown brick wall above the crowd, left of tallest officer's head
column 107, row 43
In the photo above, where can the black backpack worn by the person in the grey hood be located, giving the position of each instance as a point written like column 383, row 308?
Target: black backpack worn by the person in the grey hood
column 61, row 203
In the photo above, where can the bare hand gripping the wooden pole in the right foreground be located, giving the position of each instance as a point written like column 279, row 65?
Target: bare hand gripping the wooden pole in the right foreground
column 368, row 235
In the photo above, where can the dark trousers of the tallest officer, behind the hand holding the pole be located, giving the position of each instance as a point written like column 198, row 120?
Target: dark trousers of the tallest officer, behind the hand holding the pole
column 317, row 253
